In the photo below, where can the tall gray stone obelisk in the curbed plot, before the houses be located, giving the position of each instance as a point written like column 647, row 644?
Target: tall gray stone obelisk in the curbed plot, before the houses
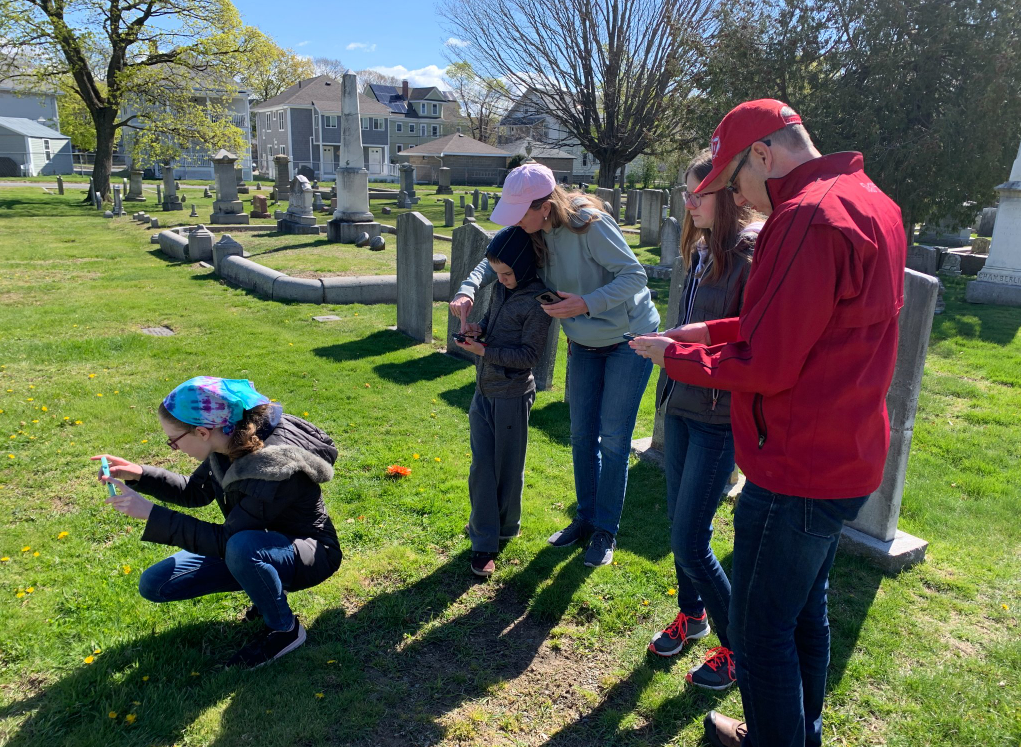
column 353, row 178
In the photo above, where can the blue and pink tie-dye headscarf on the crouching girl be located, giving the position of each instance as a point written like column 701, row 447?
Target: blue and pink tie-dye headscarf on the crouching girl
column 214, row 403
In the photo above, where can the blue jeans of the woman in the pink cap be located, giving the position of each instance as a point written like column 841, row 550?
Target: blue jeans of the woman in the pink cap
column 606, row 392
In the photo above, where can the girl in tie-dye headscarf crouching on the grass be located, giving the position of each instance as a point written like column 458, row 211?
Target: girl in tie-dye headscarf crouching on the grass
column 264, row 469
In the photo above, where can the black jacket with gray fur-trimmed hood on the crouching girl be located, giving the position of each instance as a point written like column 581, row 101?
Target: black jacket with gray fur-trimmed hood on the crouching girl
column 275, row 489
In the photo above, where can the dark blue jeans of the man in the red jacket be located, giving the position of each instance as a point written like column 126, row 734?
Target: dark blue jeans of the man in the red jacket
column 784, row 551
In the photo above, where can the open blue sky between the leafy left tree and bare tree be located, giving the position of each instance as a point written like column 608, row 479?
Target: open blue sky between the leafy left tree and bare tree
column 403, row 38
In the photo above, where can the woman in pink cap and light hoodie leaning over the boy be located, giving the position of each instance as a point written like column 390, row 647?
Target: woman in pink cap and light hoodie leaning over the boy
column 584, row 258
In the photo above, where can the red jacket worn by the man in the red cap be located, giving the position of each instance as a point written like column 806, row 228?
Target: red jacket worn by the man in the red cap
column 812, row 356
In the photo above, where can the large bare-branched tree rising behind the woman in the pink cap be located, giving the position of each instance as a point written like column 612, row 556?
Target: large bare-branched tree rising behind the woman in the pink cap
column 616, row 74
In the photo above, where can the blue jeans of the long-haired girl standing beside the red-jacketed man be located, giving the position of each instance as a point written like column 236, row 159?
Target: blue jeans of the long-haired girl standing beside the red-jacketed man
column 700, row 460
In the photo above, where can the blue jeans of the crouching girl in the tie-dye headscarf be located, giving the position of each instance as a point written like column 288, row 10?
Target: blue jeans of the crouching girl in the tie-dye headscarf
column 261, row 564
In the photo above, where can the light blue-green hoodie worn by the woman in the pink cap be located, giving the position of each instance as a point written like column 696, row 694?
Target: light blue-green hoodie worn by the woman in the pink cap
column 600, row 267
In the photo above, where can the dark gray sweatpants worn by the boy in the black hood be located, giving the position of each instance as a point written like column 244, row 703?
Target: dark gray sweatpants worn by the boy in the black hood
column 500, row 439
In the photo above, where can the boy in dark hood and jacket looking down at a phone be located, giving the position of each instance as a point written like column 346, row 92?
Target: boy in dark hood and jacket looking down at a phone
column 515, row 334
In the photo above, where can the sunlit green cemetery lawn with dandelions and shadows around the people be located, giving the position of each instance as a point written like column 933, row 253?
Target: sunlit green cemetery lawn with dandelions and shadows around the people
column 406, row 648
